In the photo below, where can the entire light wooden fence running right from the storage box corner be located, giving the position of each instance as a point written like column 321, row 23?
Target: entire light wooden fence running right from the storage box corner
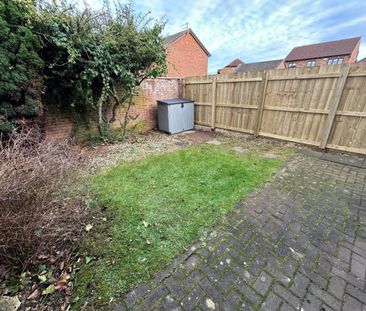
column 322, row 106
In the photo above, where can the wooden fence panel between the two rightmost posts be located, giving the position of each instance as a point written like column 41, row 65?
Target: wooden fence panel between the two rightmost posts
column 292, row 110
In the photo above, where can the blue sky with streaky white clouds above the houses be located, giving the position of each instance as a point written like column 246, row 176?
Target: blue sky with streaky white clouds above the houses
column 259, row 30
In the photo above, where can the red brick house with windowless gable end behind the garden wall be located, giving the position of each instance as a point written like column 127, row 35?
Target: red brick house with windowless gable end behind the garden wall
column 186, row 55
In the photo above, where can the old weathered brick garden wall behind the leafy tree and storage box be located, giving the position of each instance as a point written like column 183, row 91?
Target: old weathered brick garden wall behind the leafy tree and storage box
column 60, row 125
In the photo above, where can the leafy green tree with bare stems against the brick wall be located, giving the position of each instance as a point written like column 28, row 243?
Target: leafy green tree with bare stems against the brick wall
column 90, row 55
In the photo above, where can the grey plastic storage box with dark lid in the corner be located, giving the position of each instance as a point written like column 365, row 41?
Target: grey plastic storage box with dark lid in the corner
column 175, row 115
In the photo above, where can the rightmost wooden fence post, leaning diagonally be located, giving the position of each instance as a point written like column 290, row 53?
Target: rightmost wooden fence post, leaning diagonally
column 333, row 106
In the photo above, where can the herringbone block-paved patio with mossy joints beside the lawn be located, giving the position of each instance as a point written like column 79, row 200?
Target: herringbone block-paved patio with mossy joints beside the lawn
column 298, row 243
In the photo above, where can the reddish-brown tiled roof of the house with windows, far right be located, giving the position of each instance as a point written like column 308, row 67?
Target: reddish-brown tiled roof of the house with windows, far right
column 325, row 49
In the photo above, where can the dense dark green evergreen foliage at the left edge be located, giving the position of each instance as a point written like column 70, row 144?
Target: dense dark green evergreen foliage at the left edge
column 19, row 63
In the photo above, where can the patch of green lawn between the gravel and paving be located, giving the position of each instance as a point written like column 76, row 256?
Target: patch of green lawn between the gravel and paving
column 158, row 206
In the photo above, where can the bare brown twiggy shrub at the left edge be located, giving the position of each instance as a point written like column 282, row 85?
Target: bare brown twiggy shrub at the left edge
column 34, row 174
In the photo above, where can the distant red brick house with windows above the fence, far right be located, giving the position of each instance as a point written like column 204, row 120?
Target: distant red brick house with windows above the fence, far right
column 326, row 53
